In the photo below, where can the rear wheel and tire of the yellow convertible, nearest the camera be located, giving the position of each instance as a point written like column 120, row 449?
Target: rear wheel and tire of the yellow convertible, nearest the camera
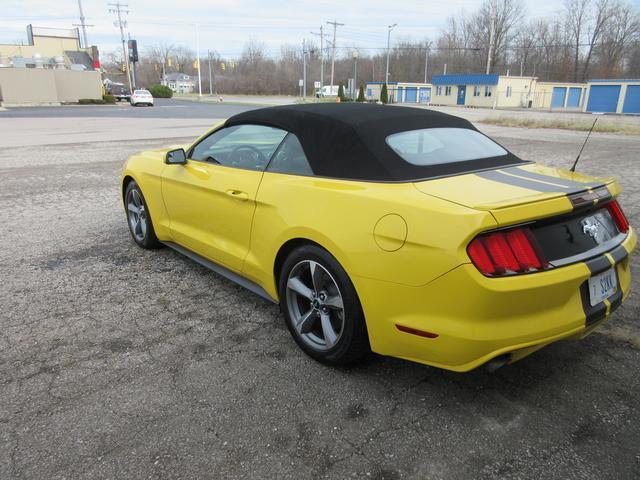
column 321, row 307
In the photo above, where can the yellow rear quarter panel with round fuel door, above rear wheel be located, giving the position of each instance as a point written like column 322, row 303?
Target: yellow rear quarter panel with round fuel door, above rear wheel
column 342, row 215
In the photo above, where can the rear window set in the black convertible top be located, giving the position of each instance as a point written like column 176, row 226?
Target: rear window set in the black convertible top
column 433, row 146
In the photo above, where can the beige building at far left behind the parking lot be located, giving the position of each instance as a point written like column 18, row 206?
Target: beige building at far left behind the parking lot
column 52, row 67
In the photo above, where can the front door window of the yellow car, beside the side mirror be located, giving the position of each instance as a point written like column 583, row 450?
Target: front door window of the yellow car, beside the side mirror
column 243, row 146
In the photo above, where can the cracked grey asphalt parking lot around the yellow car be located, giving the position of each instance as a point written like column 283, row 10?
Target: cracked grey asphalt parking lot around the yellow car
column 121, row 363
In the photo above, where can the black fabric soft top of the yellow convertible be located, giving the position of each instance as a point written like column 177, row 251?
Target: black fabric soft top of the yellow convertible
column 347, row 140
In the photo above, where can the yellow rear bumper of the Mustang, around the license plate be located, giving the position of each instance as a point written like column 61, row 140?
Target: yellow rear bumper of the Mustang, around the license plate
column 478, row 318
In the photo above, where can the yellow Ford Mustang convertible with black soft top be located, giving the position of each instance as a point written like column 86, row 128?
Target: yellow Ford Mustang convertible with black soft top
column 402, row 231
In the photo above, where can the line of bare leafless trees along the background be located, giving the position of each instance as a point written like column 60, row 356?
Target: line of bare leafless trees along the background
column 585, row 39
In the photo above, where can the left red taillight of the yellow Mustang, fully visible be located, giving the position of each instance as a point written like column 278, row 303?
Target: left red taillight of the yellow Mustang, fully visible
column 507, row 252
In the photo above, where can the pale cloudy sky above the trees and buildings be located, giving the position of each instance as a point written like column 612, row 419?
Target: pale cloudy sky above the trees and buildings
column 225, row 26
